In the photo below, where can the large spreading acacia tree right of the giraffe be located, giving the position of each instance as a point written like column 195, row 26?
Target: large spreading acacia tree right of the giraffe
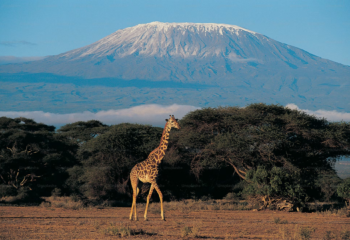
column 291, row 142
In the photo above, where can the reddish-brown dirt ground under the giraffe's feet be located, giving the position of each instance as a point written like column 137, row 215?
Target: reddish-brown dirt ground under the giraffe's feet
column 91, row 223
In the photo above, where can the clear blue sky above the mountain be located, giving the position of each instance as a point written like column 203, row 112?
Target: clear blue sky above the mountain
column 43, row 27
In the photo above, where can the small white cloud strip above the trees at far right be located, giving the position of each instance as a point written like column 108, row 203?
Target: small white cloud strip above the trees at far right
column 333, row 116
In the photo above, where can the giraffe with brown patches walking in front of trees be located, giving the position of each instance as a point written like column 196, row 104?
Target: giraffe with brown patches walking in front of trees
column 147, row 171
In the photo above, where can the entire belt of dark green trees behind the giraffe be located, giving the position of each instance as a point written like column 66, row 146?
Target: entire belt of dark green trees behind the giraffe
column 274, row 156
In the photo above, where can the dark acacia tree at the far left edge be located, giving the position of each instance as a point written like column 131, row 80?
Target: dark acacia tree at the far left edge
column 32, row 156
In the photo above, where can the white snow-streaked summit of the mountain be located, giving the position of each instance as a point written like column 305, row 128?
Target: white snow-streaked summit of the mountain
column 165, row 39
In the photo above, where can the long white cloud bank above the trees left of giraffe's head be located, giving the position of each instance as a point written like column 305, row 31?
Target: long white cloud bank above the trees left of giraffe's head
column 144, row 114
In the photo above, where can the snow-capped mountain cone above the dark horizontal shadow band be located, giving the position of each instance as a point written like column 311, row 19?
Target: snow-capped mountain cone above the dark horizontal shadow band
column 186, row 52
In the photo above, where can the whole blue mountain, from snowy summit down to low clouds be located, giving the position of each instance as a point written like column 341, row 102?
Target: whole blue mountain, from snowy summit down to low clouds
column 215, row 63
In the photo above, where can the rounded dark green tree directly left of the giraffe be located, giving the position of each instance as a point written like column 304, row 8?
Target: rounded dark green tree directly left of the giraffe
column 106, row 160
